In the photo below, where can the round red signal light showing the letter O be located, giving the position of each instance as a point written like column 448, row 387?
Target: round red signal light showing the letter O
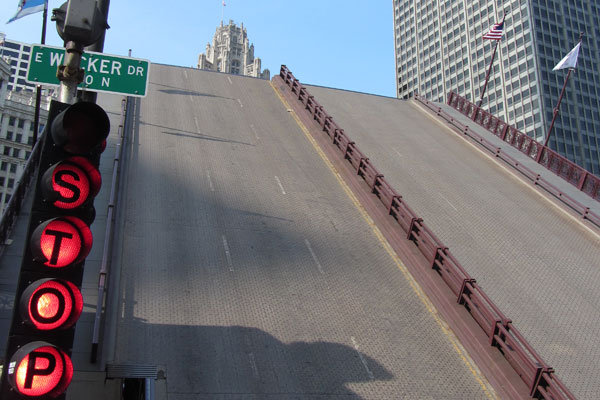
column 50, row 304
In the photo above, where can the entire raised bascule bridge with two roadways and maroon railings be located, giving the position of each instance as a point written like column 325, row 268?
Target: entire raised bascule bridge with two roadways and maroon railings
column 274, row 240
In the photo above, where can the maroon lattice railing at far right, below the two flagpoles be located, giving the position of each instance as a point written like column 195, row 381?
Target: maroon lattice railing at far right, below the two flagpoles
column 561, row 166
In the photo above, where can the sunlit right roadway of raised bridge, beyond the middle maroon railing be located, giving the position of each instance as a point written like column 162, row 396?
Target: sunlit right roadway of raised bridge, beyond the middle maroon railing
column 535, row 261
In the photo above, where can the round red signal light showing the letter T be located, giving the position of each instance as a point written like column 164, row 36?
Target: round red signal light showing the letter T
column 61, row 241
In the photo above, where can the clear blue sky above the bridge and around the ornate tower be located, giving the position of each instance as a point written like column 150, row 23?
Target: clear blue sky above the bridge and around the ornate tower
column 342, row 44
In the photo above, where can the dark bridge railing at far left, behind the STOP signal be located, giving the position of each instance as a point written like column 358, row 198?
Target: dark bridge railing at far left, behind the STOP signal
column 13, row 208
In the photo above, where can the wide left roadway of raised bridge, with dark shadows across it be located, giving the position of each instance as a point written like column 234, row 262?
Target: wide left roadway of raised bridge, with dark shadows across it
column 246, row 270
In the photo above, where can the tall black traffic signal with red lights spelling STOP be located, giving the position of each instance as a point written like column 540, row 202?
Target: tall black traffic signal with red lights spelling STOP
column 48, row 300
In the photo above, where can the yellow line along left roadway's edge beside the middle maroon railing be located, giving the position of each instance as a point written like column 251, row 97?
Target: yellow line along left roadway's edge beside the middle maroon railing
column 485, row 386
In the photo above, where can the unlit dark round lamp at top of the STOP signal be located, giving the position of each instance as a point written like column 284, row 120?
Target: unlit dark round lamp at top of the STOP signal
column 81, row 128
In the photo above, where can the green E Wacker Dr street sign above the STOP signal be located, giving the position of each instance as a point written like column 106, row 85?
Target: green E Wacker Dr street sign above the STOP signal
column 103, row 72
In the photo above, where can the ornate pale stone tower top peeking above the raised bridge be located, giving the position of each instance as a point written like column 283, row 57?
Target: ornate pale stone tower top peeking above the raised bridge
column 231, row 52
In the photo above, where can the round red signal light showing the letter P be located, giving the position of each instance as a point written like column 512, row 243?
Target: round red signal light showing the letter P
column 40, row 369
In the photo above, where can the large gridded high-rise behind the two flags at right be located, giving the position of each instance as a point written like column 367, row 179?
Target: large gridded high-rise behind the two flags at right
column 440, row 48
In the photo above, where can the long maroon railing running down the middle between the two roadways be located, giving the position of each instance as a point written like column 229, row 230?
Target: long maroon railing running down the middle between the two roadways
column 540, row 378
